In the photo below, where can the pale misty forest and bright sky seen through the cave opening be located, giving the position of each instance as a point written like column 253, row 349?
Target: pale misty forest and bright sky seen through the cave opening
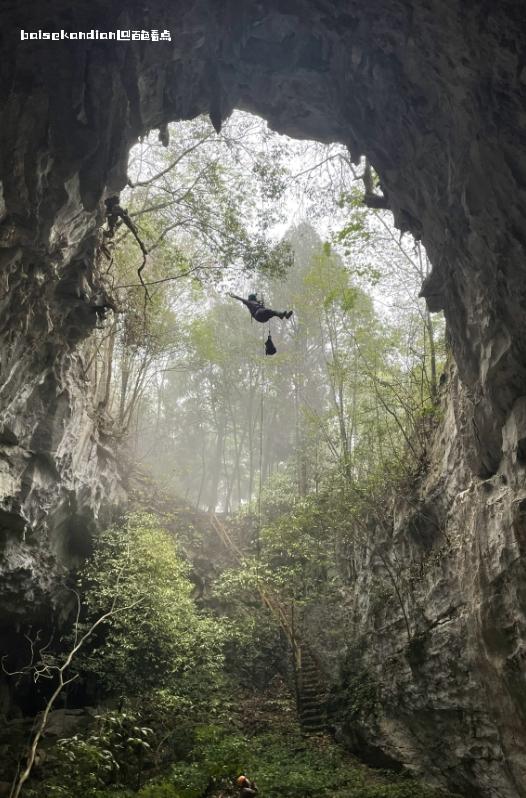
column 181, row 367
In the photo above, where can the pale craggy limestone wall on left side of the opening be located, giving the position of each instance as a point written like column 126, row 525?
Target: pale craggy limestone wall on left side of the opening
column 58, row 472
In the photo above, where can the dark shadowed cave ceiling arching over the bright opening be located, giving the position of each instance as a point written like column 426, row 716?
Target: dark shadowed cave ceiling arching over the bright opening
column 434, row 95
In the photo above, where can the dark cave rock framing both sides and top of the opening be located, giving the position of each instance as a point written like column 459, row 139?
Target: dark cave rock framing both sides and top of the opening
column 434, row 92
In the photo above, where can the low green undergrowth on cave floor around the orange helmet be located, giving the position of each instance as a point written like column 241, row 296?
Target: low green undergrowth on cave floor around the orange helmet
column 282, row 762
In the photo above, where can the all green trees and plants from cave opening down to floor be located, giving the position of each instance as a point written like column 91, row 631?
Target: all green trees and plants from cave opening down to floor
column 186, row 675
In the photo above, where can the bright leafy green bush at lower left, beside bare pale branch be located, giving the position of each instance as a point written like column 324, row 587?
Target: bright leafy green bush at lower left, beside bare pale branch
column 161, row 638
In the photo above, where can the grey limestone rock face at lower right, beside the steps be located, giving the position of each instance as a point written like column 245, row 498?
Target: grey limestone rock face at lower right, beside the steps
column 434, row 668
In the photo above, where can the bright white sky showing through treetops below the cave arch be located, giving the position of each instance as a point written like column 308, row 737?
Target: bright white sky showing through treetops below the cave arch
column 316, row 175
